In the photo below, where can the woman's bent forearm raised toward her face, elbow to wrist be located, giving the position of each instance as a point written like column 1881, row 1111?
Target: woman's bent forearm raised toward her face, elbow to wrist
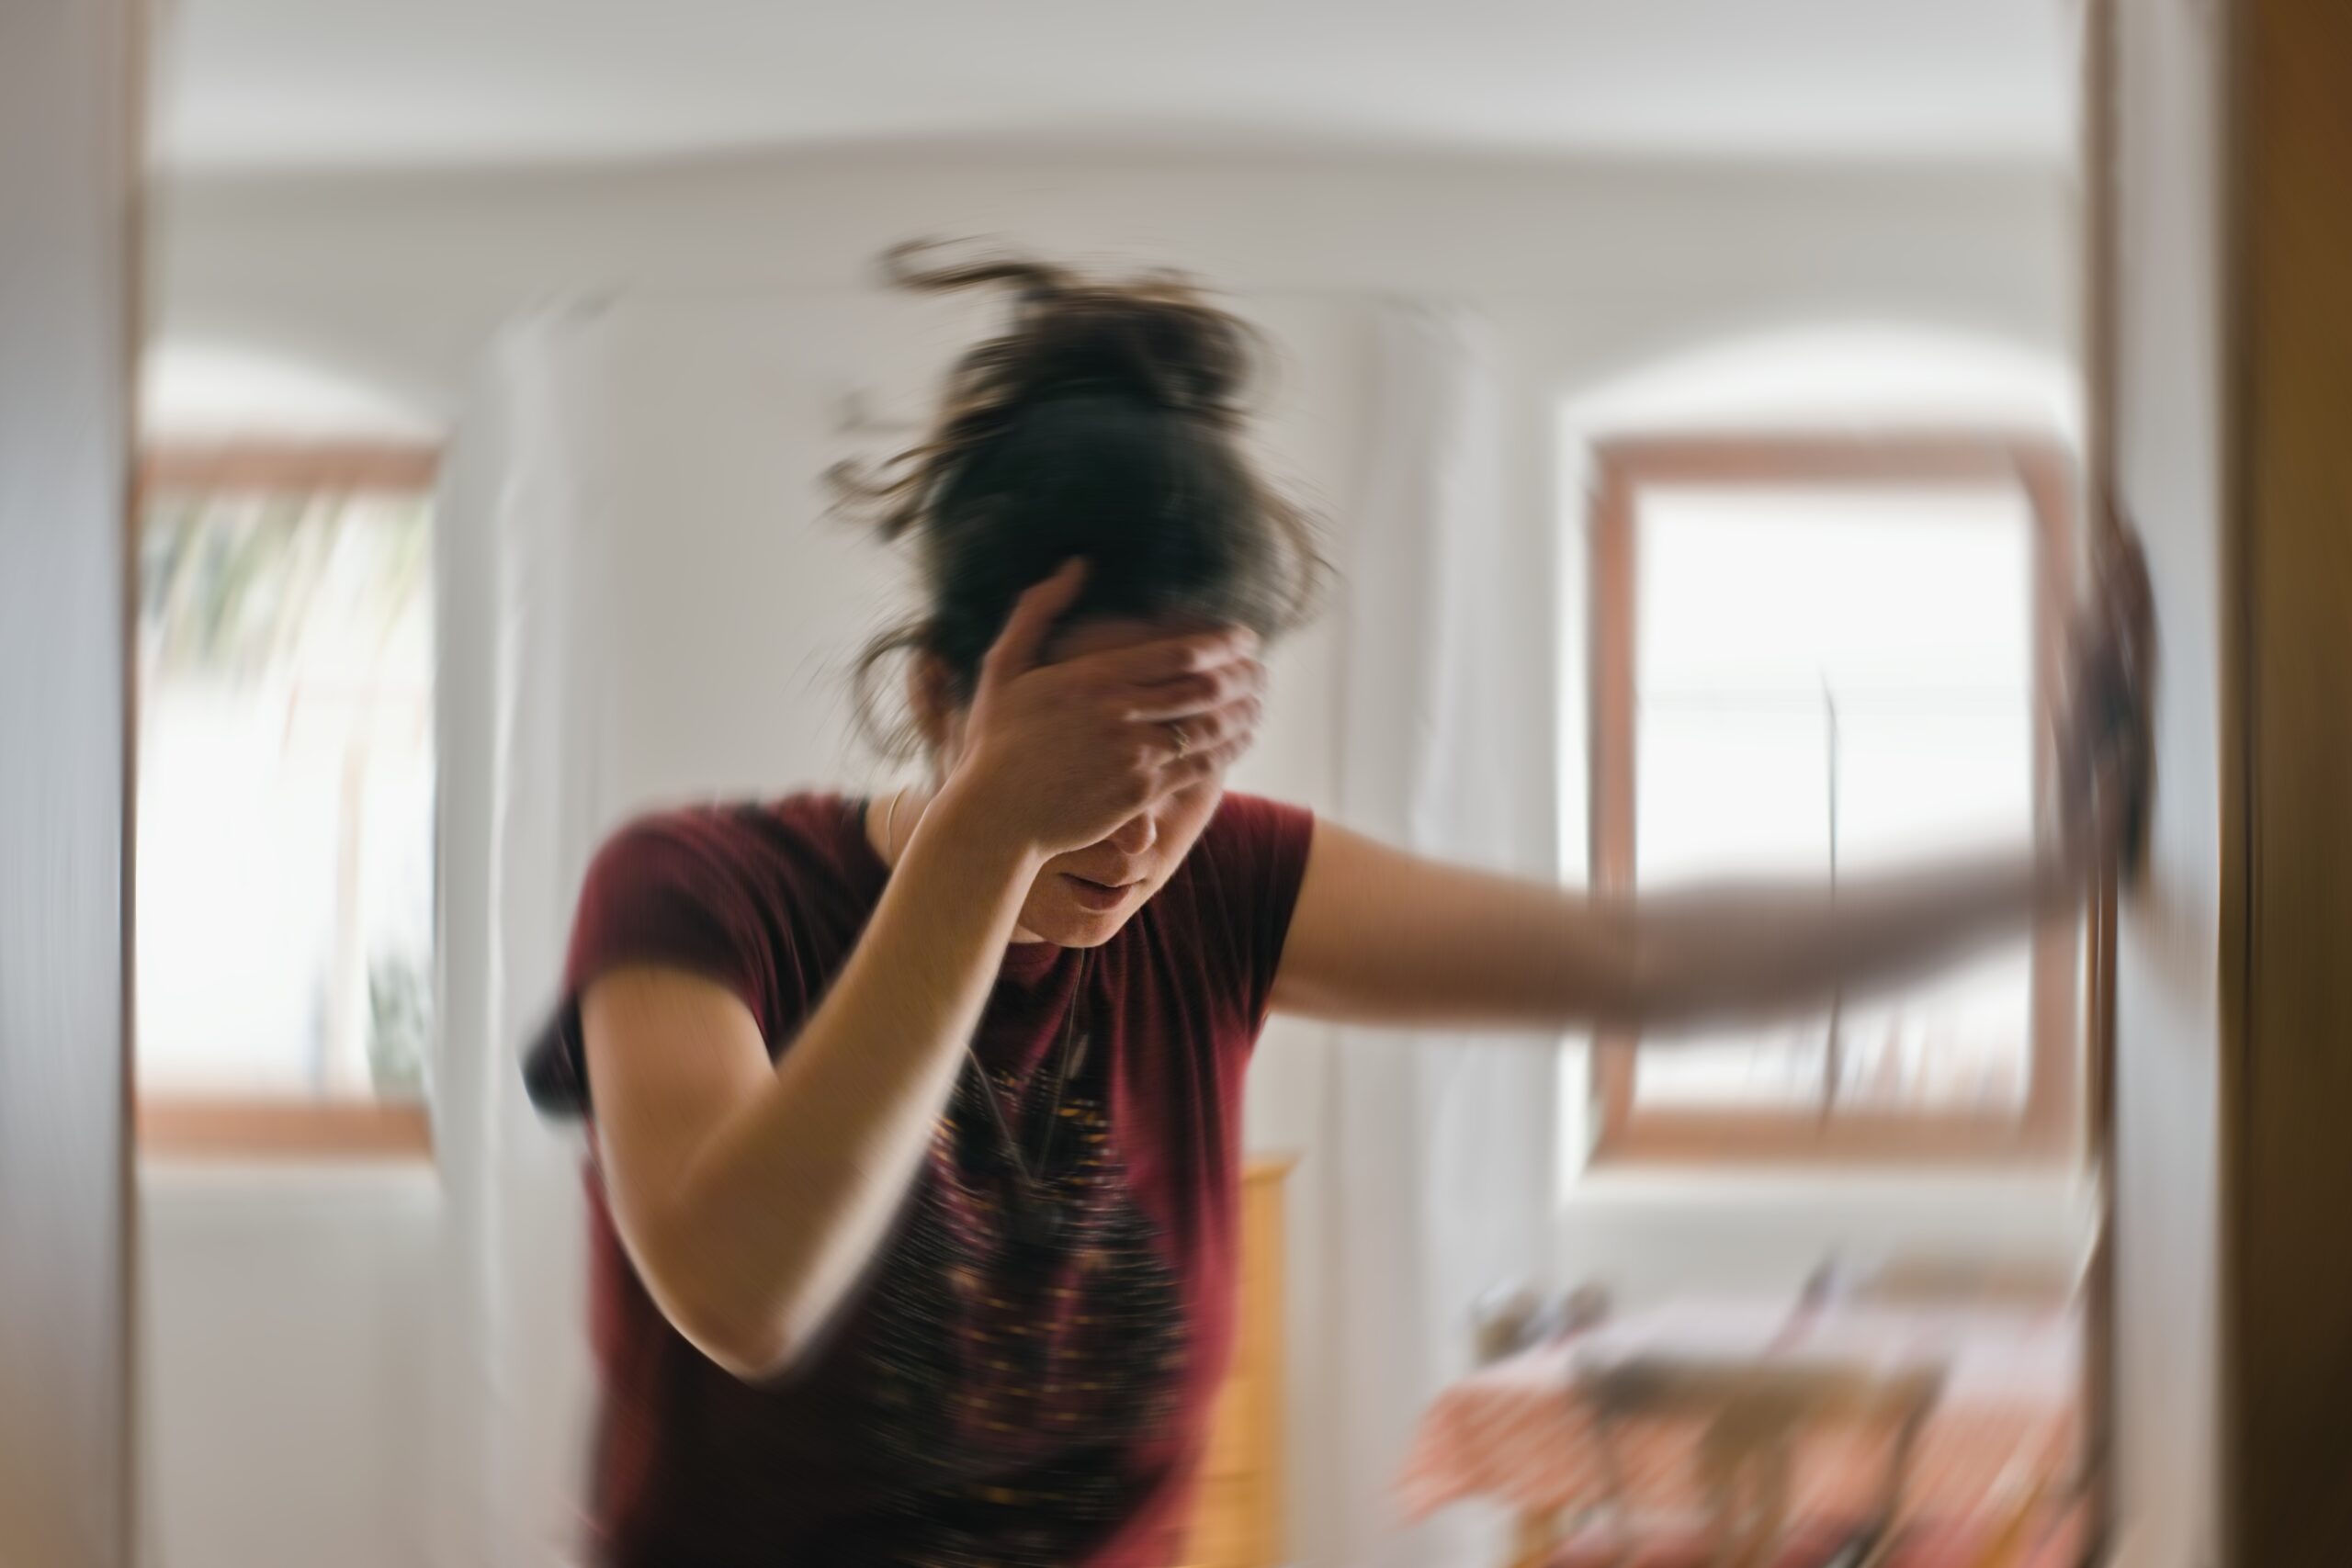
column 782, row 1207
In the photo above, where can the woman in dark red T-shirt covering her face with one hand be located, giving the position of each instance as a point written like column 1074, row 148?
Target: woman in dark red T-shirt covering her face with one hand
column 918, row 1123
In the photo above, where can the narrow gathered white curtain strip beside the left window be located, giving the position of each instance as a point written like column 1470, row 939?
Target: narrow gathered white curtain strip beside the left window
column 516, row 561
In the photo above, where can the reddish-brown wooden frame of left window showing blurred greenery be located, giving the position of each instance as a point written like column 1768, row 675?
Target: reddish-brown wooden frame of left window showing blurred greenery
column 241, row 1130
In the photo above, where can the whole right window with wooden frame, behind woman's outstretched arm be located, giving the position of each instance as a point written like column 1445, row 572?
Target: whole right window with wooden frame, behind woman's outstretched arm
column 1817, row 659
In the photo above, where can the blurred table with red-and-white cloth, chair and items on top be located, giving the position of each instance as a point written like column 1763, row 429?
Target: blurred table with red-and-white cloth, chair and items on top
column 1887, row 1423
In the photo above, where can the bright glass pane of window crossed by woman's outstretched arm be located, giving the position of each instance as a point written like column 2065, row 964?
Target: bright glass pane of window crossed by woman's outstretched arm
column 1838, row 669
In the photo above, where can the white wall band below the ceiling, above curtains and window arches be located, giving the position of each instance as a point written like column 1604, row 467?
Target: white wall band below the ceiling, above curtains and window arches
column 401, row 279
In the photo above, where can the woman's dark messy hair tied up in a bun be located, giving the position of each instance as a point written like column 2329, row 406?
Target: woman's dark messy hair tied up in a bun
column 1107, row 424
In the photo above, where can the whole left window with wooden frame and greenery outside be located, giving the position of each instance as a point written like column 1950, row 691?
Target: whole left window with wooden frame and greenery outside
column 286, row 800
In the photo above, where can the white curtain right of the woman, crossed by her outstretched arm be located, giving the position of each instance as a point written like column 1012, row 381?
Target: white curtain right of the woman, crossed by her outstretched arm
column 1441, row 1148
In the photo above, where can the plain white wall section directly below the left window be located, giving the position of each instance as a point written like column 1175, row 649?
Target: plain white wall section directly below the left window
column 286, row 1365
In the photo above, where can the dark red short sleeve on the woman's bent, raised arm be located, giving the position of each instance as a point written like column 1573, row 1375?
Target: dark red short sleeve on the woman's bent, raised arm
column 671, row 892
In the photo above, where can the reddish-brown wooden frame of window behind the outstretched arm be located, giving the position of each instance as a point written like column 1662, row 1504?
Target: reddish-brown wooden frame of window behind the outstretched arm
column 1624, row 469
